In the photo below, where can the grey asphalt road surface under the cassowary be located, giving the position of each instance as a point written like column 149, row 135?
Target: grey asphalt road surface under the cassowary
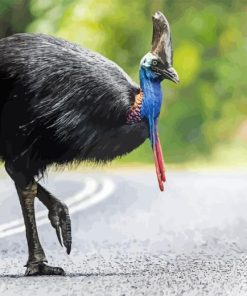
column 130, row 239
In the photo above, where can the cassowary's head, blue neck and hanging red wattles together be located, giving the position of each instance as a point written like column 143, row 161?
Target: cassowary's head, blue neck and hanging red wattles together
column 155, row 66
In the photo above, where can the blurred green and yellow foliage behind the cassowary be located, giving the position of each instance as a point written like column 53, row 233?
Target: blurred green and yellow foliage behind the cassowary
column 204, row 118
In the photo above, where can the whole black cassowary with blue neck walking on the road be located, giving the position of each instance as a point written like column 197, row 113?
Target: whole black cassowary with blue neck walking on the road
column 61, row 103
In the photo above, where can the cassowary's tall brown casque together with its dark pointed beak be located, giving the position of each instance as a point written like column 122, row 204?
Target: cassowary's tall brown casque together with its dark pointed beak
column 162, row 47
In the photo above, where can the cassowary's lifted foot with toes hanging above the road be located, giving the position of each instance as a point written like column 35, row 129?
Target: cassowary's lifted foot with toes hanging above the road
column 60, row 220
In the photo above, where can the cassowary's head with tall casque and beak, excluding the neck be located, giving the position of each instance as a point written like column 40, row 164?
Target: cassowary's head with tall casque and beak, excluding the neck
column 158, row 63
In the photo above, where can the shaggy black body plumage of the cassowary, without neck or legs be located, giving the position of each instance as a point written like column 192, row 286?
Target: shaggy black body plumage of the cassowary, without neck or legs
column 60, row 103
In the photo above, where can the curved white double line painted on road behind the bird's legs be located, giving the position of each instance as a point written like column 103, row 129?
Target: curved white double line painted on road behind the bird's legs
column 80, row 201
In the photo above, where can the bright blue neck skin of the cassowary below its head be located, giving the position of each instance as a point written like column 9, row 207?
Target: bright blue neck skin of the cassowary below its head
column 152, row 99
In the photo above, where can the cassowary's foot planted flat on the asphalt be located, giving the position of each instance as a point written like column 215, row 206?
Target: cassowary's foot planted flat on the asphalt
column 38, row 269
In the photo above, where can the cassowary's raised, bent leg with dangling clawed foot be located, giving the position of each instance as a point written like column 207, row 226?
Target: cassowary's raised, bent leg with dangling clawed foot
column 58, row 215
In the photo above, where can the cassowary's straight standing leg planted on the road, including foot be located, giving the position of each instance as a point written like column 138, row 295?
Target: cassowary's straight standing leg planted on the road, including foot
column 27, row 191
